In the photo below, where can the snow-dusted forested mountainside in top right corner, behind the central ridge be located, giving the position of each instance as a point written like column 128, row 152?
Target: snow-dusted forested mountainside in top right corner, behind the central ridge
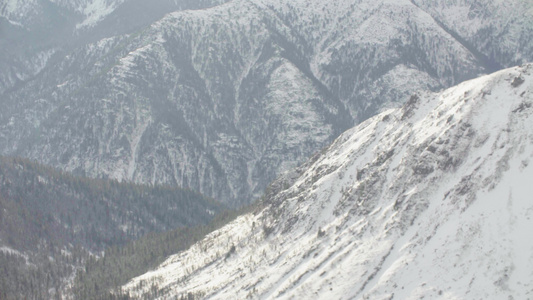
column 494, row 30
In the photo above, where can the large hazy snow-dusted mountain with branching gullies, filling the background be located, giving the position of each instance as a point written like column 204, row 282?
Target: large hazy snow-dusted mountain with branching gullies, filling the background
column 223, row 99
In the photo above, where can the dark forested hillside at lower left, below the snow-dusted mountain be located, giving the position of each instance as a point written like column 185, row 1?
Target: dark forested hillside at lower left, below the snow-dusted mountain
column 52, row 222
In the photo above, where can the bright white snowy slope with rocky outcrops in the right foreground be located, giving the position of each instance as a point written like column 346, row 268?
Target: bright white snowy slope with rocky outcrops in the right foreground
column 430, row 200
